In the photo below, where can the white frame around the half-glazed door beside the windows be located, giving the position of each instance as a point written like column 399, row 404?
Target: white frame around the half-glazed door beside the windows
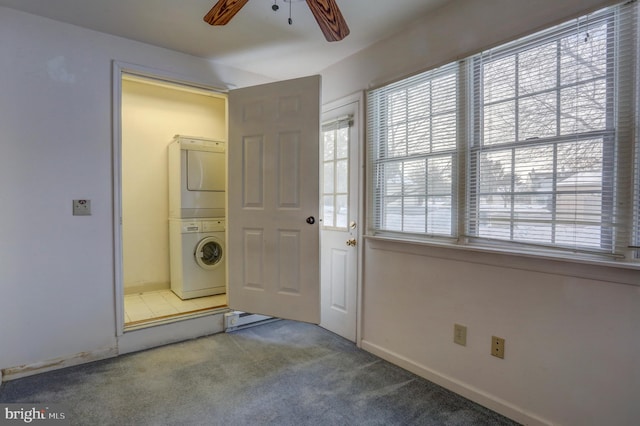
column 358, row 99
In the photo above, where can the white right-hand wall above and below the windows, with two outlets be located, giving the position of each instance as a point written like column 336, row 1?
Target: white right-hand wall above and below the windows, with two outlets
column 571, row 330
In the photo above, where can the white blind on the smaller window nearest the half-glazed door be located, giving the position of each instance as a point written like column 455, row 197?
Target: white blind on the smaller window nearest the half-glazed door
column 413, row 136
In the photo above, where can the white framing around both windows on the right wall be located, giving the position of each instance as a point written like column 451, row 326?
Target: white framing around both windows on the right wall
column 464, row 207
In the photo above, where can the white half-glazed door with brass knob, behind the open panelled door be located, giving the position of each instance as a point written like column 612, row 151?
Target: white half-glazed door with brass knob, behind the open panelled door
column 340, row 216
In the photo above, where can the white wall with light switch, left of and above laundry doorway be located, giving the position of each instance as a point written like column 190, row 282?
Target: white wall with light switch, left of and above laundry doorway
column 57, row 270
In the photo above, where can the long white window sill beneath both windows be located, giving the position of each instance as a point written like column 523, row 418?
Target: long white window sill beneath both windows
column 601, row 270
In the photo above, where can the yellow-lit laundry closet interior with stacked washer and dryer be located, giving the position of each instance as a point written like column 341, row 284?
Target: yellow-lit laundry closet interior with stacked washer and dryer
column 156, row 233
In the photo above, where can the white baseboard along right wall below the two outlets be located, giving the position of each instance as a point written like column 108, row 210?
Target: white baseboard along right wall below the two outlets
column 474, row 394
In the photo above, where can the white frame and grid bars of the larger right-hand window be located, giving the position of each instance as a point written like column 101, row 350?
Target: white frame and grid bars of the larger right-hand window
column 608, row 134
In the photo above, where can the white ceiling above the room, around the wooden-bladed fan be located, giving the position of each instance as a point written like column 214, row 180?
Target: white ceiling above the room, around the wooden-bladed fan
column 257, row 39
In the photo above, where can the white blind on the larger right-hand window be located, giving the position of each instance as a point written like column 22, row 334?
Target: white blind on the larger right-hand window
column 548, row 162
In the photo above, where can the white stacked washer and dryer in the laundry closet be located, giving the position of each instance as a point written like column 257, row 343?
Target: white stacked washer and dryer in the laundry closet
column 197, row 185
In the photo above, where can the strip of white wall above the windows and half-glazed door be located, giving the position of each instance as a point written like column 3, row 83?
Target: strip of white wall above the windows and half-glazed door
column 455, row 30
